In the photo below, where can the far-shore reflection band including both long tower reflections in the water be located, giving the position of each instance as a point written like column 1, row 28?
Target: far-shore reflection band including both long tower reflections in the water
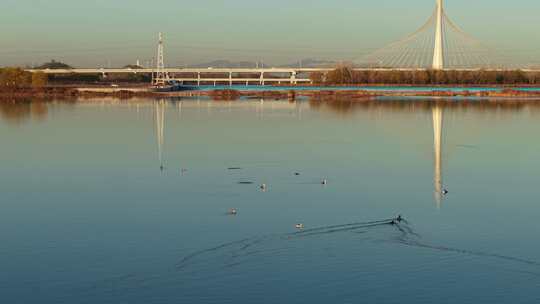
column 21, row 111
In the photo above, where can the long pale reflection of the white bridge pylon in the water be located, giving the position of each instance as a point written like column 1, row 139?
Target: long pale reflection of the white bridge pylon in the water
column 437, row 143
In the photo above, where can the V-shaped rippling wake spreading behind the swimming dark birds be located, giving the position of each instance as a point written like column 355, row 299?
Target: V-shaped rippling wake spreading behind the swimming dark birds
column 234, row 254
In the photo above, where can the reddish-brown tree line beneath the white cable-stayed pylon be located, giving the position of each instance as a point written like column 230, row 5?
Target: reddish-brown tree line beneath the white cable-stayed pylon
column 346, row 75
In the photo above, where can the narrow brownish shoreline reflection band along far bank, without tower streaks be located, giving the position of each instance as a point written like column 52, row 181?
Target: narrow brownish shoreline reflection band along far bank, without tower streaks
column 17, row 111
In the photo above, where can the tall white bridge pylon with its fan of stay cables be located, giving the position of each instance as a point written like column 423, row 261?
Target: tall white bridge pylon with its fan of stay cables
column 438, row 44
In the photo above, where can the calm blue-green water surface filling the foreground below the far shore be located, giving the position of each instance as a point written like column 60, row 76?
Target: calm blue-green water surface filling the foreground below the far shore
column 88, row 216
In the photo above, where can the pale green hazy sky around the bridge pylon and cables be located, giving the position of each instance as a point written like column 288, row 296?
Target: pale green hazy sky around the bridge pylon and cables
column 92, row 33
